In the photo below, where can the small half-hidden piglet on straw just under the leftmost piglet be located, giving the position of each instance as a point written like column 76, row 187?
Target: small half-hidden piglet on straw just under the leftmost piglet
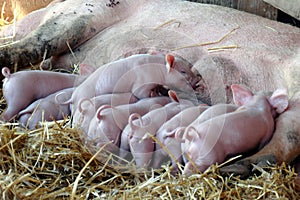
column 45, row 109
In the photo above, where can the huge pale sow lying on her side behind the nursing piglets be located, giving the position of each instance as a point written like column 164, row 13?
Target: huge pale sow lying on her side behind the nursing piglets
column 266, row 58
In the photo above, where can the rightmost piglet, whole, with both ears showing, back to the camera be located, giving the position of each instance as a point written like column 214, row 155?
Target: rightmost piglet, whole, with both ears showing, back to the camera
column 249, row 127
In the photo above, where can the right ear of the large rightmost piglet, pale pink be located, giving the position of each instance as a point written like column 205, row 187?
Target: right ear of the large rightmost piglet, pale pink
column 279, row 100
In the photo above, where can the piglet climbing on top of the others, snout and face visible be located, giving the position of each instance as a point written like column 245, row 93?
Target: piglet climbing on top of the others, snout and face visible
column 138, row 74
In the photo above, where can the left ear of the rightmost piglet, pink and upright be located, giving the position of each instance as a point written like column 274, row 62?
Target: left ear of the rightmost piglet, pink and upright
column 241, row 94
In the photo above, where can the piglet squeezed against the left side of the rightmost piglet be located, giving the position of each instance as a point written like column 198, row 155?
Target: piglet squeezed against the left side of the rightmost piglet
column 166, row 136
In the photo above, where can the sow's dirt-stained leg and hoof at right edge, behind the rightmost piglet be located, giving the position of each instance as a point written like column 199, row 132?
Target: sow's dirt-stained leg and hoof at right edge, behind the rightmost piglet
column 283, row 147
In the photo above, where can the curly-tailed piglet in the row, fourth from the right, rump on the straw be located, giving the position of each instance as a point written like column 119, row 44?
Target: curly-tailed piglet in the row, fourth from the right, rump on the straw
column 109, row 122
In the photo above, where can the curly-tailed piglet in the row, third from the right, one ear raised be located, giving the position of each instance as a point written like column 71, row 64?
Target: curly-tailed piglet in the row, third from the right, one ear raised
column 134, row 136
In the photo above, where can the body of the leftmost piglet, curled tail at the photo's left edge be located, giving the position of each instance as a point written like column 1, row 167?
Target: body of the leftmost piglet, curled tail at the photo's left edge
column 22, row 88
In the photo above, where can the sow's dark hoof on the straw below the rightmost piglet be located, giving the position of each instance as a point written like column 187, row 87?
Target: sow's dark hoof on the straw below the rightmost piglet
column 236, row 169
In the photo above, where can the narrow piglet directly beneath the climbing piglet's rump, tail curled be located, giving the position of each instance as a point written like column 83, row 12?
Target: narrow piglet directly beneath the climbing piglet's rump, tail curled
column 87, row 107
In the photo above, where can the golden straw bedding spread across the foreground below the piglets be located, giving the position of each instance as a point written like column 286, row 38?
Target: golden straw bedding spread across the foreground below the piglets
column 52, row 163
